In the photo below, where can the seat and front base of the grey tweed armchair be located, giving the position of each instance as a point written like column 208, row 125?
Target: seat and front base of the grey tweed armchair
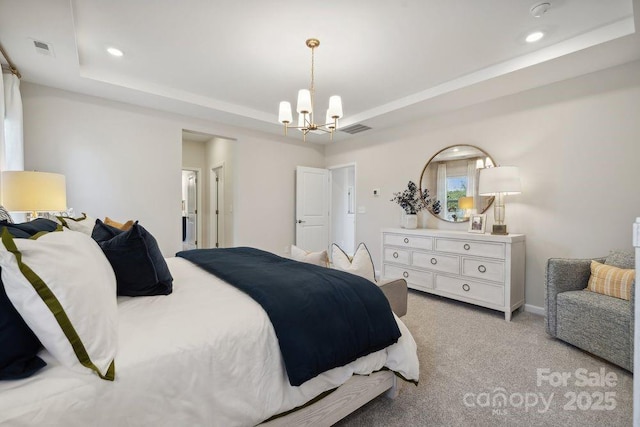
column 598, row 324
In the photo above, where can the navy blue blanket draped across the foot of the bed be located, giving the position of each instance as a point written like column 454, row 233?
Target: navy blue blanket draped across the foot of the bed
column 323, row 318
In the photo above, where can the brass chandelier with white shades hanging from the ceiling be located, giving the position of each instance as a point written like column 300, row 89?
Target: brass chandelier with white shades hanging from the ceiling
column 306, row 122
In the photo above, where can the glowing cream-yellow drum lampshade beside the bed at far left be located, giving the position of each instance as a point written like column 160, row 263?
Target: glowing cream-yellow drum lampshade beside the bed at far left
column 27, row 191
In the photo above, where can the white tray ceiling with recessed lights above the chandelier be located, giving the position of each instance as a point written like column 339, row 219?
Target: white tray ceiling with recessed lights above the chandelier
column 391, row 61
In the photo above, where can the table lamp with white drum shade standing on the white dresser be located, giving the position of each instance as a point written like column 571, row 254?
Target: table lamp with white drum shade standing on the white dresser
column 499, row 182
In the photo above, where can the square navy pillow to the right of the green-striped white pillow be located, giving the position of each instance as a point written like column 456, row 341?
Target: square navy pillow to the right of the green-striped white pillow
column 136, row 260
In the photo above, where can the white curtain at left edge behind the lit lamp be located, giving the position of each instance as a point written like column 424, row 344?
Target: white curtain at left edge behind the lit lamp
column 11, row 138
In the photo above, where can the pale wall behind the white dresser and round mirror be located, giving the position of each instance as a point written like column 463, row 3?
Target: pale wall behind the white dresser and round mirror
column 577, row 144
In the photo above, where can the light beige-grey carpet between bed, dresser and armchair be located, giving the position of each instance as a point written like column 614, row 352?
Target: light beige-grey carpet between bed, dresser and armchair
column 476, row 369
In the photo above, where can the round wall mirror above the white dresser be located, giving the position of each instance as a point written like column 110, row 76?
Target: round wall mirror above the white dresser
column 451, row 178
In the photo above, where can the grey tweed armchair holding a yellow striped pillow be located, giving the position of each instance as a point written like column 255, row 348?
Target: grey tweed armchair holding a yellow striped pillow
column 599, row 324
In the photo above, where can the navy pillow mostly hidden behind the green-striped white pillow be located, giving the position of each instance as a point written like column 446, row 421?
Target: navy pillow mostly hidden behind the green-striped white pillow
column 18, row 344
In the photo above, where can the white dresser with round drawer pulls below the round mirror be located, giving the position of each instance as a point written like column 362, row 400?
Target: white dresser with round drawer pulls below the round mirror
column 481, row 269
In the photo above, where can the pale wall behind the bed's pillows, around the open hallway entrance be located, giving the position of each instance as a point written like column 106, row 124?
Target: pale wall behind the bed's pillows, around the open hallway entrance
column 125, row 162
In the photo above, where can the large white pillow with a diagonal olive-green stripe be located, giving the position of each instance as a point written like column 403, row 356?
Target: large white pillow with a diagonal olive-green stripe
column 66, row 273
